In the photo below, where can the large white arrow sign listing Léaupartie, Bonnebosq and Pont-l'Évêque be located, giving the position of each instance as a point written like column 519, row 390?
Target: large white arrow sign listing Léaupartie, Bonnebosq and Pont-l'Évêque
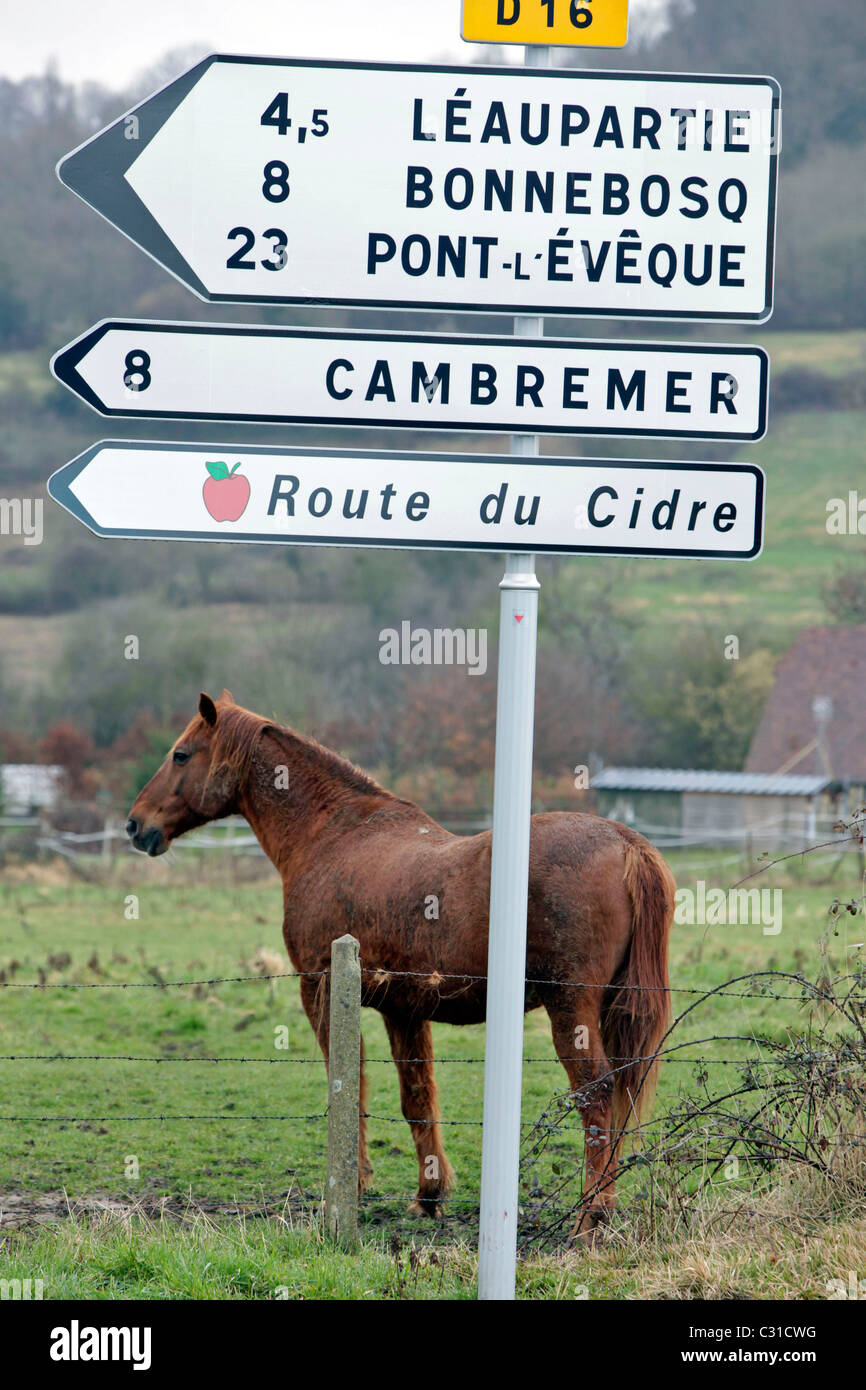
column 497, row 190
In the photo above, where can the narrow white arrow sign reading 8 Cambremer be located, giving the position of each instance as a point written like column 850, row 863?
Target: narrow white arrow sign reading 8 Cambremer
column 300, row 376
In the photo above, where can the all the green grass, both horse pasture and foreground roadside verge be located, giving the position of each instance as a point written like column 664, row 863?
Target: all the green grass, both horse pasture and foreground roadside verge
column 240, row 1195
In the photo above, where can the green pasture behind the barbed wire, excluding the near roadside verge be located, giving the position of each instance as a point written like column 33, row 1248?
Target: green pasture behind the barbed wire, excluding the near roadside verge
column 188, row 931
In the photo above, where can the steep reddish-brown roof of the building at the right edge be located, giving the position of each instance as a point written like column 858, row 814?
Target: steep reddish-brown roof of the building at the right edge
column 815, row 717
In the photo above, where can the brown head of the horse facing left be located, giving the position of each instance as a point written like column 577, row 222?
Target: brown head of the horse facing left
column 191, row 787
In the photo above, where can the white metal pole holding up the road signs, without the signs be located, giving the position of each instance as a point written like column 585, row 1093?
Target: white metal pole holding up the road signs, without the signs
column 509, row 893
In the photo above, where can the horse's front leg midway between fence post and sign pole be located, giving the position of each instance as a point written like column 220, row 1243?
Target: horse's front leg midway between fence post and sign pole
column 412, row 1052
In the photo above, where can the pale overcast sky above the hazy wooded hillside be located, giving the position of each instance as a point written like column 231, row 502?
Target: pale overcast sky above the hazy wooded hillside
column 112, row 42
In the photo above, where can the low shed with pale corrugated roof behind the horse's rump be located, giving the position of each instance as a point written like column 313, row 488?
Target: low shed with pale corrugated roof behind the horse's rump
column 689, row 807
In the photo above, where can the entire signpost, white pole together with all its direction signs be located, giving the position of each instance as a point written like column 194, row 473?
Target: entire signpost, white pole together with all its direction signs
column 419, row 187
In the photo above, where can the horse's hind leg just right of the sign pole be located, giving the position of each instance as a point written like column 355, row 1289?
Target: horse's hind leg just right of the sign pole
column 579, row 1047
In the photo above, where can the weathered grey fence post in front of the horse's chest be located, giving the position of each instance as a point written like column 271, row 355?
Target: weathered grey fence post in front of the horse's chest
column 344, row 1092
